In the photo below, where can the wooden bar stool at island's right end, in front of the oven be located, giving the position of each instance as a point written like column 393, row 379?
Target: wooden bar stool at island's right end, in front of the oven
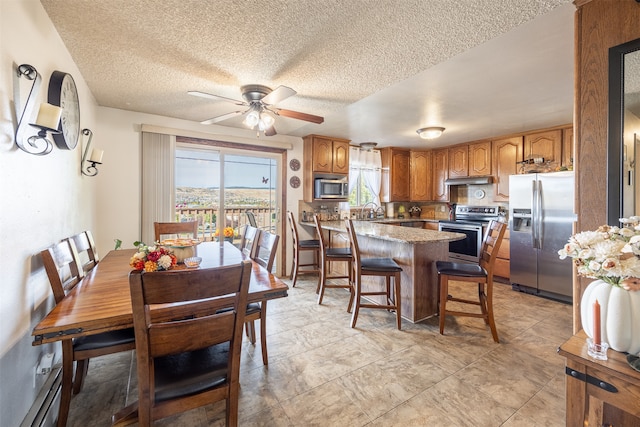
column 481, row 274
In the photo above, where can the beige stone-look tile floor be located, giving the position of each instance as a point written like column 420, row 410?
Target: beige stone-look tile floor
column 323, row 373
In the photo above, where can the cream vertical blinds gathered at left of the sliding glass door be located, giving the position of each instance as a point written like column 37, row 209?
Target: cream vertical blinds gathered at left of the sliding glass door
column 158, row 196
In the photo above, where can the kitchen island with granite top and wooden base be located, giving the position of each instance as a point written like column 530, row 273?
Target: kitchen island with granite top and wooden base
column 414, row 249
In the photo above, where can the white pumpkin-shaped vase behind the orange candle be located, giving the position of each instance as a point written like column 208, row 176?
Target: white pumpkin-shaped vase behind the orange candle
column 619, row 315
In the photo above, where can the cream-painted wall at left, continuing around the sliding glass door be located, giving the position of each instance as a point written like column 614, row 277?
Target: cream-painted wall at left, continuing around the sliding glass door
column 45, row 198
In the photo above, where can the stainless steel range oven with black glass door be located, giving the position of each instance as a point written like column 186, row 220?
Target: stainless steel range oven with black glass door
column 472, row 222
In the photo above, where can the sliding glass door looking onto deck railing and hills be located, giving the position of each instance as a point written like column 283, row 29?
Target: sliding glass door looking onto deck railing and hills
column 217, row 186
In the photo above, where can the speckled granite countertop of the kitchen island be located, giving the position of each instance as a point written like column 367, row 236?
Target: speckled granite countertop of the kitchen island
column 393, row 233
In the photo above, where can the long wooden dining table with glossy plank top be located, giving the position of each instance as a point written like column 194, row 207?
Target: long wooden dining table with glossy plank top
column 102, row 301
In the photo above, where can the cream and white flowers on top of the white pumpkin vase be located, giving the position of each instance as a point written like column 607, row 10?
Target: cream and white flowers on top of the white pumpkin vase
column 611, row 254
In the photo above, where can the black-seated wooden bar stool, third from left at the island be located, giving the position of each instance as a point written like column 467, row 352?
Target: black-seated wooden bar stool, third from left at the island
column 385, row 267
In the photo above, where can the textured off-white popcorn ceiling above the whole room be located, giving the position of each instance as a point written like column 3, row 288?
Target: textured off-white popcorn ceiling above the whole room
column 377, row 70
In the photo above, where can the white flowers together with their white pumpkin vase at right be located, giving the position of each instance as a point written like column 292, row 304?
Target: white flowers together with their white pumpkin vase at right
column 608, row 306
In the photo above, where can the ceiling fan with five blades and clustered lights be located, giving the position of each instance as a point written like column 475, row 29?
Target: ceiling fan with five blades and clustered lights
column 259, row 101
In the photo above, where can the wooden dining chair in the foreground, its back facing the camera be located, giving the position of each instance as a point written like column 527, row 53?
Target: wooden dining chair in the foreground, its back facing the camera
column 189, row 341
